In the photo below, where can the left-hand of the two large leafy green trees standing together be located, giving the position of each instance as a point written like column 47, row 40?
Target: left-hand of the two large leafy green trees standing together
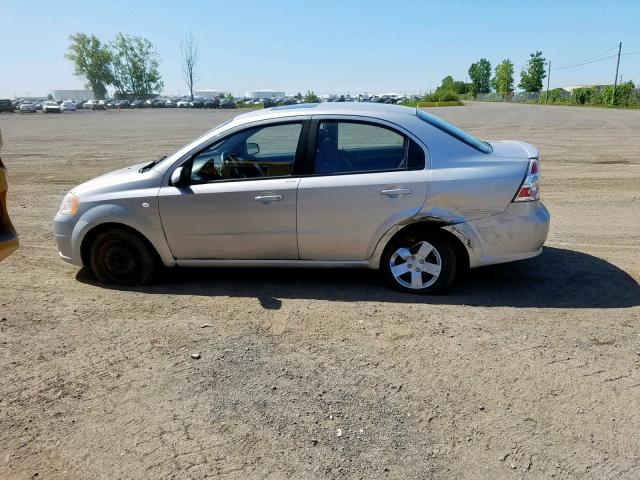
column 91, row 59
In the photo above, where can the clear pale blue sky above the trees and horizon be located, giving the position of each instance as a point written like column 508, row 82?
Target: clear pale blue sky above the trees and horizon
column 331, row 46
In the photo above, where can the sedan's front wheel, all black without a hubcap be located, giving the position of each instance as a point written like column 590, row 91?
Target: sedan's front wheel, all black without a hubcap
column 121, row 257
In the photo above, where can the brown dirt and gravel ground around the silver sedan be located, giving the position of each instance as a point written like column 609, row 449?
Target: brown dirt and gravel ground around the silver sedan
column 527, row 370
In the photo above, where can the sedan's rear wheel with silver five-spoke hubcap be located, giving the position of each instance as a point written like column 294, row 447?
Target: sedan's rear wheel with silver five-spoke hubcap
column 442, row 254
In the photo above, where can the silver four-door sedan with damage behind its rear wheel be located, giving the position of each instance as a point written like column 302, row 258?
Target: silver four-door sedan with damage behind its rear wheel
column 329, row 185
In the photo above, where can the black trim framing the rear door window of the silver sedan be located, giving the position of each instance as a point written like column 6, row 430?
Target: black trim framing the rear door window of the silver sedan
column 313, row 138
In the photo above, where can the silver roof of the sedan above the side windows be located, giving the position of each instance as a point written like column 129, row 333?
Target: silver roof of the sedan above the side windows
column 379, row 110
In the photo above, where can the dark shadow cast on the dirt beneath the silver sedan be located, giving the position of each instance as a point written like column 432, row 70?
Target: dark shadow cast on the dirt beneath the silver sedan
column 558, row 278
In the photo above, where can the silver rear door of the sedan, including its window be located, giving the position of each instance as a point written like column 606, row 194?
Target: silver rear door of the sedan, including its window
column 362, row 177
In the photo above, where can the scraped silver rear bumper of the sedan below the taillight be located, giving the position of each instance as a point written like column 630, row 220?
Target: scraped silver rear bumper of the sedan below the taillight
column 515, row 234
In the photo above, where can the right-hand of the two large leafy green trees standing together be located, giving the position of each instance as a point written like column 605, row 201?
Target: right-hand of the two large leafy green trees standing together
column 135, row 66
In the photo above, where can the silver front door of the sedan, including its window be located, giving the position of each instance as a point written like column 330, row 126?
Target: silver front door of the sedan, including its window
column 240, row 198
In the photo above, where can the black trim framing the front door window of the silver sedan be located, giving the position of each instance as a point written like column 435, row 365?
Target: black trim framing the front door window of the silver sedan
column 298, row 160
